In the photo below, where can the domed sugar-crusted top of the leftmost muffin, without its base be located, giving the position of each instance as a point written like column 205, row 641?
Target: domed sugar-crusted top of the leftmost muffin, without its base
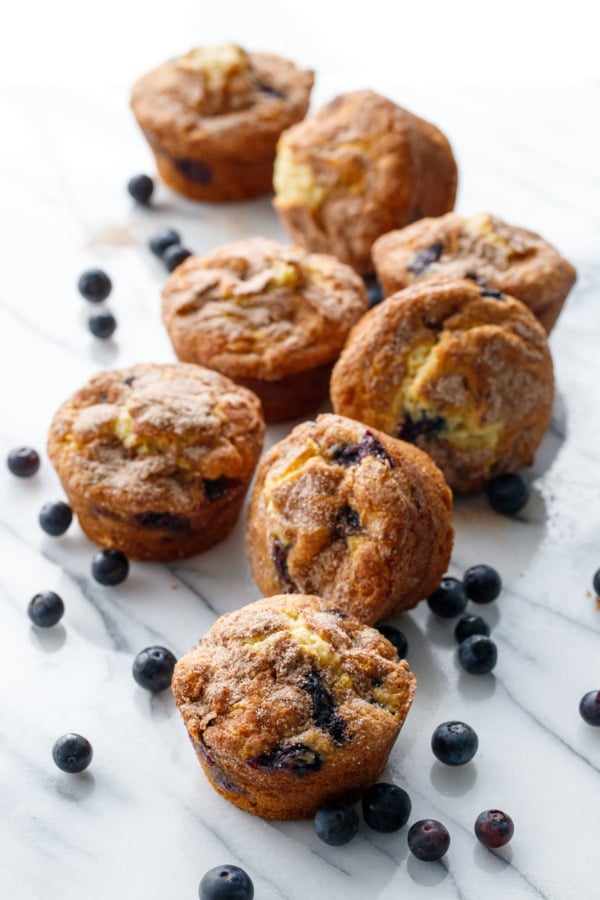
column 168, row 436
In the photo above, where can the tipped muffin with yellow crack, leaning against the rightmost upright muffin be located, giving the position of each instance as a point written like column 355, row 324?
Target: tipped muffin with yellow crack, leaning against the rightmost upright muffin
column 462, row 371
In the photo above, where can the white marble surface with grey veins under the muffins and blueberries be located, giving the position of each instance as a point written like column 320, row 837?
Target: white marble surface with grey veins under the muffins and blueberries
column 142, row 821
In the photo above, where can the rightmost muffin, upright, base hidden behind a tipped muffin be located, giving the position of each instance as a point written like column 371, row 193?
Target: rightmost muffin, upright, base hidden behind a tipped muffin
column 483, row 248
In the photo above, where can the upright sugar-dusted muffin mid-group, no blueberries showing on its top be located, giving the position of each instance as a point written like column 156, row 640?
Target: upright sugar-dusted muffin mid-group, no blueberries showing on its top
column 273, row 318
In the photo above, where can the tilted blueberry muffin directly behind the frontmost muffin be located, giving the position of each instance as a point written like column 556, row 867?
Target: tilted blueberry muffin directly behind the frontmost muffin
column 350, row 514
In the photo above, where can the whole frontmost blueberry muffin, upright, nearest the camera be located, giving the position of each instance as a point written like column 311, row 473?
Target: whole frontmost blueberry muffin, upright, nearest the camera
column 290, row 703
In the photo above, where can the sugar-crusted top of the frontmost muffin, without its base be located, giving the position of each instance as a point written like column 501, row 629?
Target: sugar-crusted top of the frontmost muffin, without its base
column 283, row 682
